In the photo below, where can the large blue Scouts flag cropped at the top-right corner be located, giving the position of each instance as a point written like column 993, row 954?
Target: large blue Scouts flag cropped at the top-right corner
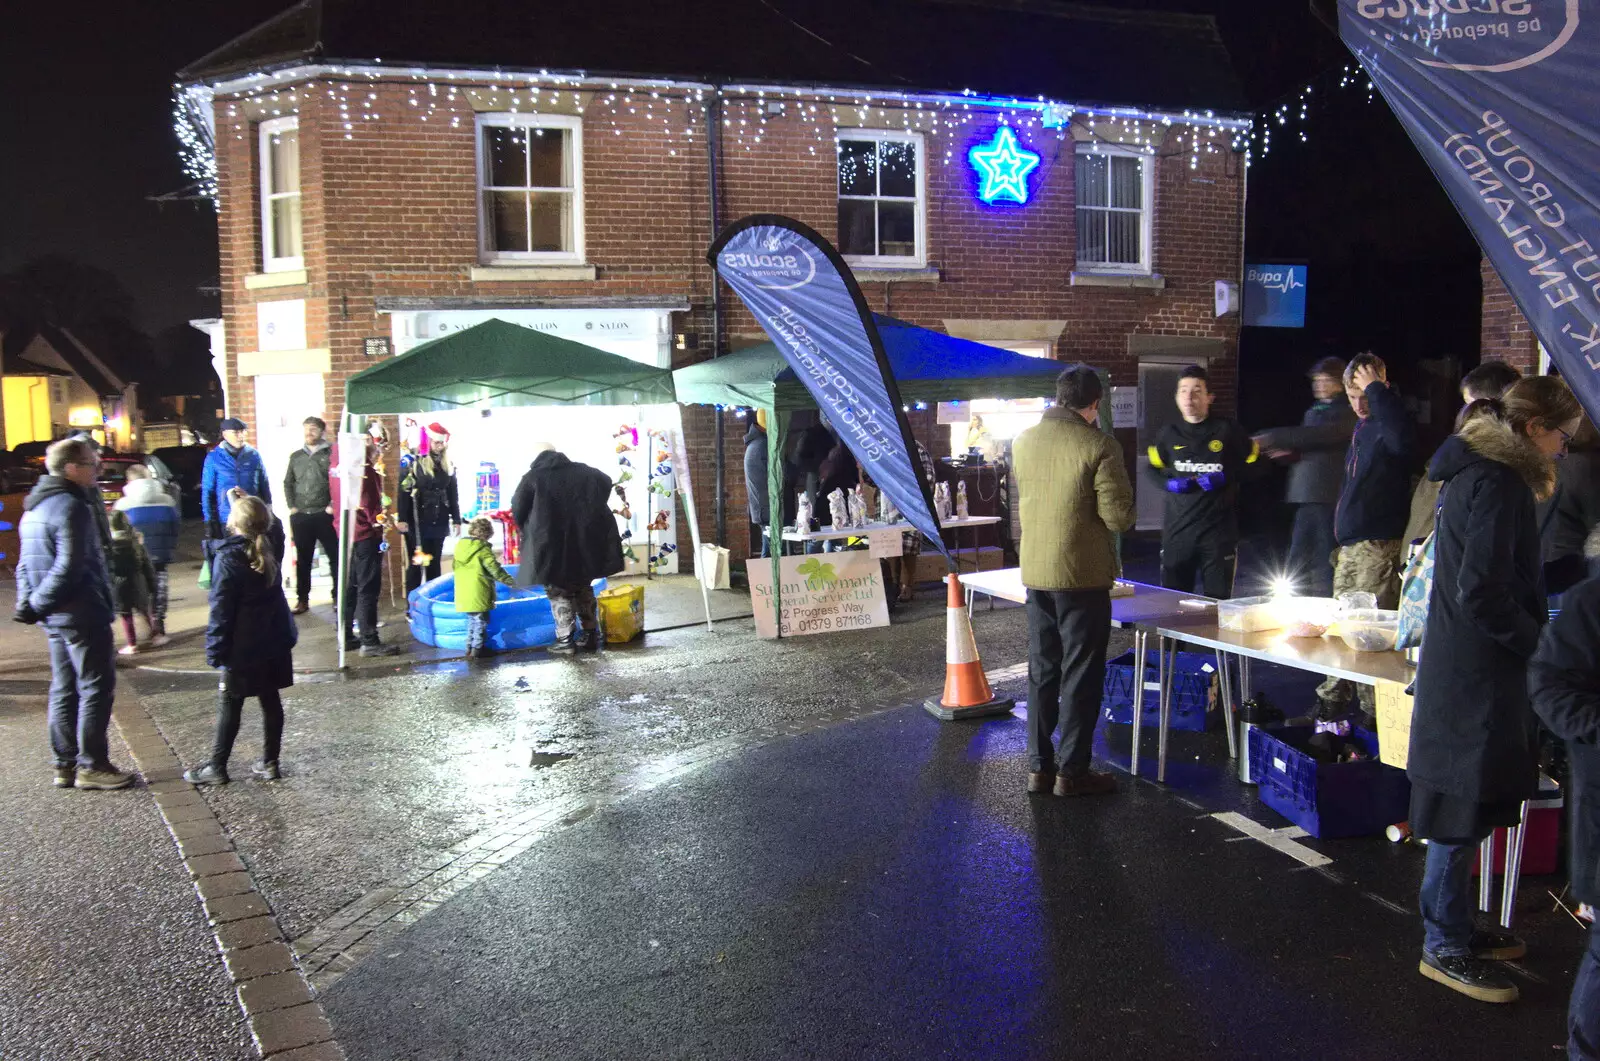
column 1503, row 102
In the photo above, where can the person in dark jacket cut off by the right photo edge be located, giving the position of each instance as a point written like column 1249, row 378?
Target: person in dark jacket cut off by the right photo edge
column 1564, row 683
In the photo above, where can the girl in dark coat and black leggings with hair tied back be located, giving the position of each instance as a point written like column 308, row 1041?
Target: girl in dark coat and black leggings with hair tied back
column 250, row 639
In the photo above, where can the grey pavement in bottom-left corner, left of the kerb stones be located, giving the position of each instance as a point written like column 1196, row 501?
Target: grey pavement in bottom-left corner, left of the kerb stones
column 106, row 953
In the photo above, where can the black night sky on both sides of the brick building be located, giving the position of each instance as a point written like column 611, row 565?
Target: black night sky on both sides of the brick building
column 87, row 140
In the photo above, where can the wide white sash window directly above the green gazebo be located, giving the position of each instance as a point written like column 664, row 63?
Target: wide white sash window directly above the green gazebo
column 530, row 174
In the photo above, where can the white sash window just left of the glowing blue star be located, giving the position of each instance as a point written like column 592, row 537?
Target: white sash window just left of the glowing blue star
column 881, row 199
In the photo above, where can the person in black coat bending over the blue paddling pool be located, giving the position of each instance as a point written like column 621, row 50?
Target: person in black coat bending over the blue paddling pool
column 569, row 540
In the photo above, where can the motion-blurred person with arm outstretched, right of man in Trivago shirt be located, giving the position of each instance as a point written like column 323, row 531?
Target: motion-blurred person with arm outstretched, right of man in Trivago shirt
column 1318, row 452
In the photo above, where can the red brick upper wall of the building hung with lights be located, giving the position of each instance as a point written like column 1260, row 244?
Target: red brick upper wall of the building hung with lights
column 390, row 209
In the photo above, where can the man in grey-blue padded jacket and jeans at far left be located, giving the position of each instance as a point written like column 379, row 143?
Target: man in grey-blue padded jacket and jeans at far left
column 62, row 583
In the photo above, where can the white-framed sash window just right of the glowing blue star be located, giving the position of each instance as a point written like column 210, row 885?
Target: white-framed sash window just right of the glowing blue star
column 1114, row 212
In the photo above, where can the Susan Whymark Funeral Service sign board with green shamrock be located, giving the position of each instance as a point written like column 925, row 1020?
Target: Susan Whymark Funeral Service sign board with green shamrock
column 823, row 595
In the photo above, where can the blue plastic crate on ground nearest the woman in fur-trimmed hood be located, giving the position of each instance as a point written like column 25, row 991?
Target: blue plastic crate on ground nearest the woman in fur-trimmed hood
column 1329, row 801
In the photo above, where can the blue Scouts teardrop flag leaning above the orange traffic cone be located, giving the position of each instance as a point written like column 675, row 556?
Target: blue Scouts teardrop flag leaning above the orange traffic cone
column 807, row 300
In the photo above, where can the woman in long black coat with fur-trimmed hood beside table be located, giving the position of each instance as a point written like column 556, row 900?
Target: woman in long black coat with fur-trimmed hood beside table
column 1473, row 758
